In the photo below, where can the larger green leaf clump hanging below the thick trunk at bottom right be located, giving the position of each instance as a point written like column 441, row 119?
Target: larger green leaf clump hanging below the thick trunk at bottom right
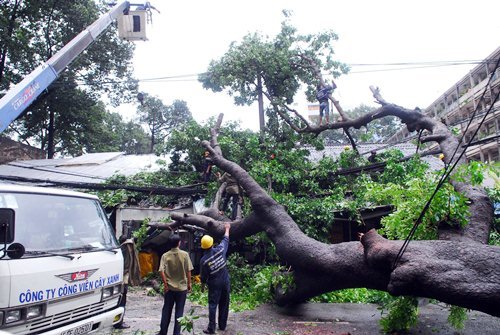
column 403, row 313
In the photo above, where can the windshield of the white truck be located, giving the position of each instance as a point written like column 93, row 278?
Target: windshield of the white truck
column 51, row 223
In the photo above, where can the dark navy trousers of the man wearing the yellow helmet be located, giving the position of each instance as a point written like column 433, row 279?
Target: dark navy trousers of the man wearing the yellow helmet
column 218, row 296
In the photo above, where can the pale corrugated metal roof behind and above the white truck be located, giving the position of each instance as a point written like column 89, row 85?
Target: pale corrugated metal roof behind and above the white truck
column 88, row 168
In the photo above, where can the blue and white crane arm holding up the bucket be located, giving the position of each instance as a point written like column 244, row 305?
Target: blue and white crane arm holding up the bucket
column 25, row 92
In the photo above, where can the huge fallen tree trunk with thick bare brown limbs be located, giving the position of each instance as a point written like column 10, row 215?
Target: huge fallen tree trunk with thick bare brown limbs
column 461, row 270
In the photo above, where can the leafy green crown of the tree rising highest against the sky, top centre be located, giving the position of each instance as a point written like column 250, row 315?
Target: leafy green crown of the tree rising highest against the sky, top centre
column 278, row 66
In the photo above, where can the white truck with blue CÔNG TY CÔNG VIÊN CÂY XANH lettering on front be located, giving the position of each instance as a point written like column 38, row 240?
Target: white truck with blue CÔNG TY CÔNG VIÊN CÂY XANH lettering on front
column 61, row 267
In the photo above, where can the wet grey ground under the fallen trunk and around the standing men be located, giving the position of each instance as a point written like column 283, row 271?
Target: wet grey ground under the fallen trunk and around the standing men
column 144, row 312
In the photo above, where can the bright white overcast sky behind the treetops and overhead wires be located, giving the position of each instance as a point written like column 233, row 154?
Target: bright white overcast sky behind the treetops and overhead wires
column 186, row 35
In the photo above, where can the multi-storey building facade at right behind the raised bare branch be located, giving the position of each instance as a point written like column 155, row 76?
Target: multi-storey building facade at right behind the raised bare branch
column 472, row 97
